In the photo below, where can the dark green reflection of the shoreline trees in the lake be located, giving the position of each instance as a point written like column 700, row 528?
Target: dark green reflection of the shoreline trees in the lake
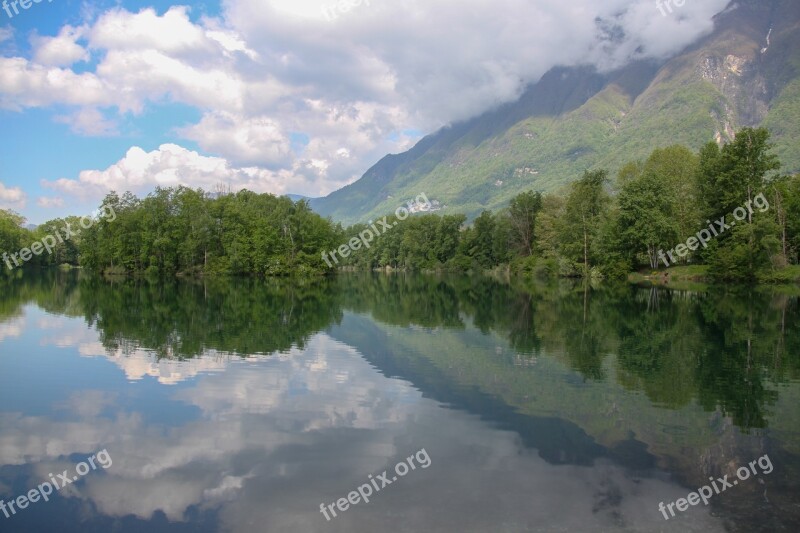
column 725, row 350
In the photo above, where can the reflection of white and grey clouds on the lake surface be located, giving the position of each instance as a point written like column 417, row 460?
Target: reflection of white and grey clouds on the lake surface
column 280, row 435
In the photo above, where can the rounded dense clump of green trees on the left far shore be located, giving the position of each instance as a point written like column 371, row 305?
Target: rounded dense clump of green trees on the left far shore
column 180, row 230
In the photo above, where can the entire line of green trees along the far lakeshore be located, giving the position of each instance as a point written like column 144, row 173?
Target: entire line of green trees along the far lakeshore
column 595, row 227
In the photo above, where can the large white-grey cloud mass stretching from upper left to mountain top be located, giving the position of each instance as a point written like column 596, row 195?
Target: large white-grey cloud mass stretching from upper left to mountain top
column 265, row 72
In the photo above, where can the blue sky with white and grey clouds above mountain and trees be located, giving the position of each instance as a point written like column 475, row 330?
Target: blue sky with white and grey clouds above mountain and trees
column 278, row 96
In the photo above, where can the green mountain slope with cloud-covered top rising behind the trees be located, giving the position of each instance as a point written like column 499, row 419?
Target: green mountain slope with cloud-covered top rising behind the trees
column 745, row 73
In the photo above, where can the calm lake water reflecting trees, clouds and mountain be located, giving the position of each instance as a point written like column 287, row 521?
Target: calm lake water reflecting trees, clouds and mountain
column 242, row 406
